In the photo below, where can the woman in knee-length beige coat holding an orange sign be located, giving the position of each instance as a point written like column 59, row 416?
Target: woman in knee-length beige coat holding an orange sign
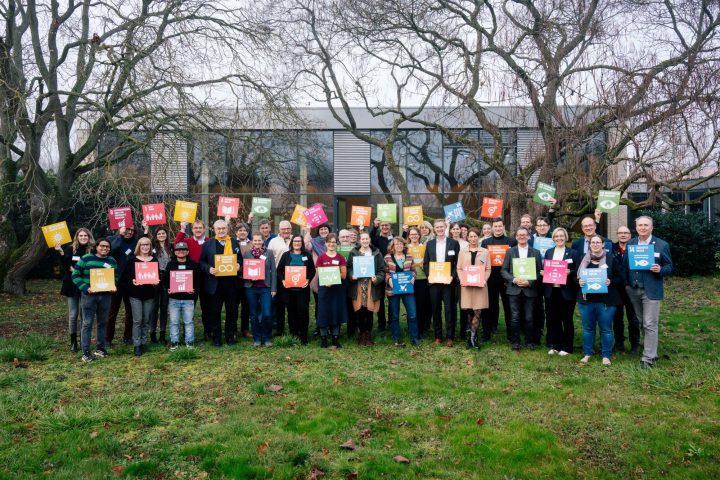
column 473, row 299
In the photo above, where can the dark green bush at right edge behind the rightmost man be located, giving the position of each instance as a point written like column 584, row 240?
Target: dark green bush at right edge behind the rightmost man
column 694, row 241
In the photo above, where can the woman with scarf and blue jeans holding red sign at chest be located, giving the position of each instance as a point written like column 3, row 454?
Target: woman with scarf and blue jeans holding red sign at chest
column 260, row 293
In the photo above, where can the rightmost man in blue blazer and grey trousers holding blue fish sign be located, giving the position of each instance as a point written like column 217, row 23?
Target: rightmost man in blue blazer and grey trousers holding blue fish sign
column 645, row 287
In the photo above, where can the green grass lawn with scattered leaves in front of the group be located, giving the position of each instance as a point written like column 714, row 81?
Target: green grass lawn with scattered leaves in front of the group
column 284, row 412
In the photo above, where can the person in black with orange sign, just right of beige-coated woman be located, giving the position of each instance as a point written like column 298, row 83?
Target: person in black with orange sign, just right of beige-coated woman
column 497, row 246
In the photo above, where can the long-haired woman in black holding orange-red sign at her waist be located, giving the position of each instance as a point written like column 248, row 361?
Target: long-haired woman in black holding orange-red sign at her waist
column 294, row 272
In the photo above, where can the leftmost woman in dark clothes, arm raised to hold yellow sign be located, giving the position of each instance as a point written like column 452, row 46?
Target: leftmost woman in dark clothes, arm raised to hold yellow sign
column 82, row 244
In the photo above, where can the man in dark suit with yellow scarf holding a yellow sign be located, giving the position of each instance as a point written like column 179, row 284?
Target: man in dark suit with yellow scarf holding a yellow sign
column 222, row 289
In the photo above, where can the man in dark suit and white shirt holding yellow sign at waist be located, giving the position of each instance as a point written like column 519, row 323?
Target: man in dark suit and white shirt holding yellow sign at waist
column 442, row 249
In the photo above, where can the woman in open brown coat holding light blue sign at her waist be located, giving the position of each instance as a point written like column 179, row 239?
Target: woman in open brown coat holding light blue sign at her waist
column 366, row 290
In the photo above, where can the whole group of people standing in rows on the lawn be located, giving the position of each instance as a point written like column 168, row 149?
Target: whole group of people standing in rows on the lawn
column 262, row 304
